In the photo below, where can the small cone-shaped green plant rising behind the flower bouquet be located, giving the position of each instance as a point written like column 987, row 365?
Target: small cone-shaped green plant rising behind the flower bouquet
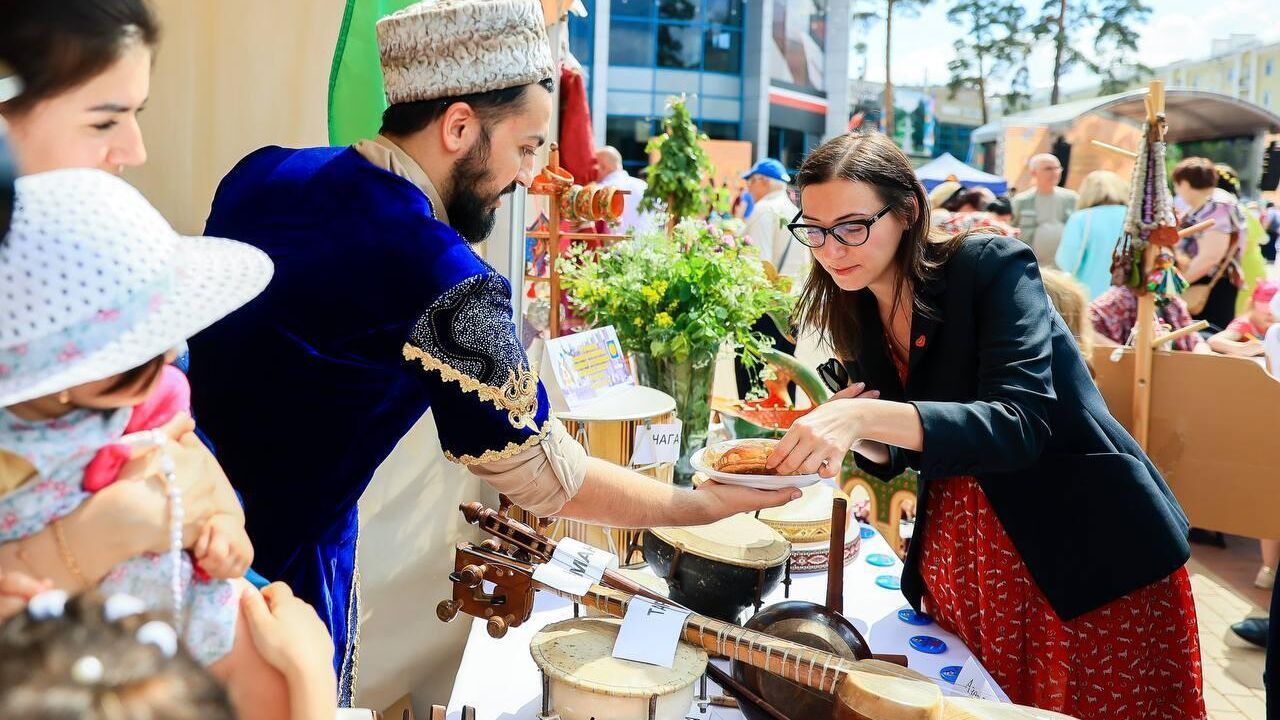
column 678, row 180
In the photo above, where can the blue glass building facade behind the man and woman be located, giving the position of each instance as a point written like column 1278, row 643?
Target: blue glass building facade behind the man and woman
column 751, row 70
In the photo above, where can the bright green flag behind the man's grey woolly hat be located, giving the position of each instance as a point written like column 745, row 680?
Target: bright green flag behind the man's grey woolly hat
column 356, row 97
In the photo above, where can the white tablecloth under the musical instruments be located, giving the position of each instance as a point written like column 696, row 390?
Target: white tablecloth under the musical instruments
column 500, row 680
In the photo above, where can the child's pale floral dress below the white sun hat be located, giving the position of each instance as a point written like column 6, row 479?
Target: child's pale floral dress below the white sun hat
column 61, row 450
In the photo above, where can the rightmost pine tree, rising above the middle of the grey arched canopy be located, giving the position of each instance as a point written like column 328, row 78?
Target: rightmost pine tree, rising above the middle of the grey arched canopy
column 1114, row 25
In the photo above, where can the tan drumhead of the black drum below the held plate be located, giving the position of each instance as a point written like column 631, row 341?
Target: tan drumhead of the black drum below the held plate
column 738, row 540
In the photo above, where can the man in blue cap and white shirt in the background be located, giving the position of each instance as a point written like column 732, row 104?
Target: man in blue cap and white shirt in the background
column 767, row 229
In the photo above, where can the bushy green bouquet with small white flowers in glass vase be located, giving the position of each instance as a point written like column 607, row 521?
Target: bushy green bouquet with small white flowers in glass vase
column 680, row 295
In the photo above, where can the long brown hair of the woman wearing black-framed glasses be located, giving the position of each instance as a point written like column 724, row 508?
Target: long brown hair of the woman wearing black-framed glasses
column 876, row 161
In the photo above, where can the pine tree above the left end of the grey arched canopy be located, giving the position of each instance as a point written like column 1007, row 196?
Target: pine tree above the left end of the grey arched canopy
column 994, row 48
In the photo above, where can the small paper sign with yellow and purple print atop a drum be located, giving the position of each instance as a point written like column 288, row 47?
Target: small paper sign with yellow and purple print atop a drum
column 580, row 368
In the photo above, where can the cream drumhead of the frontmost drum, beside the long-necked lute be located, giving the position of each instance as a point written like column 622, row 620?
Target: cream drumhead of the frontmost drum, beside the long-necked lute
column 580, row 653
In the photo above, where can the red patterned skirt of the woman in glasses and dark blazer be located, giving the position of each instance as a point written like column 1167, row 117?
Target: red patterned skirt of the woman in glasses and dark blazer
column 1136, row 658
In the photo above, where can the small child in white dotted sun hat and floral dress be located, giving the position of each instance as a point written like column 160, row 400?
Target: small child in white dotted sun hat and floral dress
column 95, row 291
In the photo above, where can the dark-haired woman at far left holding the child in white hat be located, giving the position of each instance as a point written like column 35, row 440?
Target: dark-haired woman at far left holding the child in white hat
column 84, row 70
